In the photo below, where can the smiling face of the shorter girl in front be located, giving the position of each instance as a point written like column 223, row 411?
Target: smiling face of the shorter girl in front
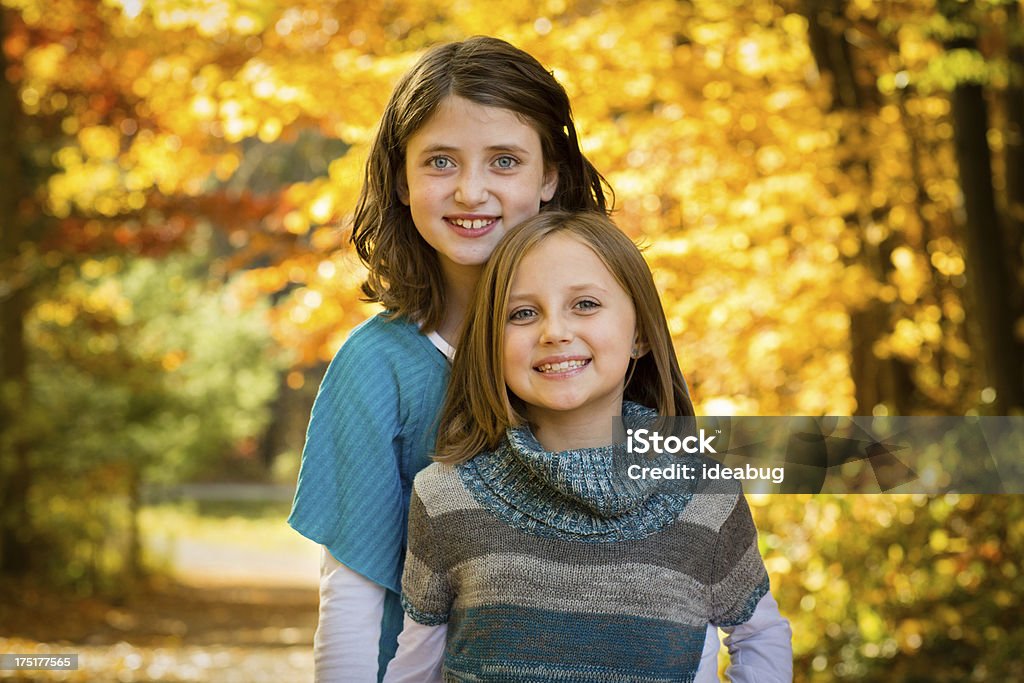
column 570, row 331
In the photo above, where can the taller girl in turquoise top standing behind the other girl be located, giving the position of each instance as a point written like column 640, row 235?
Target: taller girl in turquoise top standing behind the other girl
column 477, row 138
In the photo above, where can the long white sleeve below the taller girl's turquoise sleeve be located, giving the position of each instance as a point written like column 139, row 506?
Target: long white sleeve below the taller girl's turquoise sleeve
column 347, row 644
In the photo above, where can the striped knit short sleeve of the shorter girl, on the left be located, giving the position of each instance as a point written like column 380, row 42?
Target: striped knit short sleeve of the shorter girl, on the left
column 428, row 593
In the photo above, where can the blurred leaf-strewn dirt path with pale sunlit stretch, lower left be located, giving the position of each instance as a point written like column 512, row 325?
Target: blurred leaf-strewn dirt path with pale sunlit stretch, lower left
column 232, row 613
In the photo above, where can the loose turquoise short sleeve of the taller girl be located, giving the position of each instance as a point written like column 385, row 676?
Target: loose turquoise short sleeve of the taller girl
column 350, row 495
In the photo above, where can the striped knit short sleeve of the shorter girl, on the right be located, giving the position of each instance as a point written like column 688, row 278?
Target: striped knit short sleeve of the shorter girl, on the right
column 740, row 576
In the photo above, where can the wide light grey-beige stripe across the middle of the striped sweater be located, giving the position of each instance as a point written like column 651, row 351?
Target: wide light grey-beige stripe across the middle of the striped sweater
column 641, row 590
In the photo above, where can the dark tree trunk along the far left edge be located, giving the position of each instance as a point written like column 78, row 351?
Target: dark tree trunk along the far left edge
column 16, row 473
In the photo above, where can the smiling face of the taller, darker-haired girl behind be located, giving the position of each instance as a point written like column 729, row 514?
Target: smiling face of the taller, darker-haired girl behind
column 473, row 174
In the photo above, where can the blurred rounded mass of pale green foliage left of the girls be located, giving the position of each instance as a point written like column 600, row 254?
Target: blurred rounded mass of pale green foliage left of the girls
column 147, row 363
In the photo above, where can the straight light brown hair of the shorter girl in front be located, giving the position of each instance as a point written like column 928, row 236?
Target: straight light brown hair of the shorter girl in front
column 479, row 408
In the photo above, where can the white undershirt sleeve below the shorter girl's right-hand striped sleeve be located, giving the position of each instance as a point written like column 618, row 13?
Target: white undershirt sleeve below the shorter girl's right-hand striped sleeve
column 761, row 649
